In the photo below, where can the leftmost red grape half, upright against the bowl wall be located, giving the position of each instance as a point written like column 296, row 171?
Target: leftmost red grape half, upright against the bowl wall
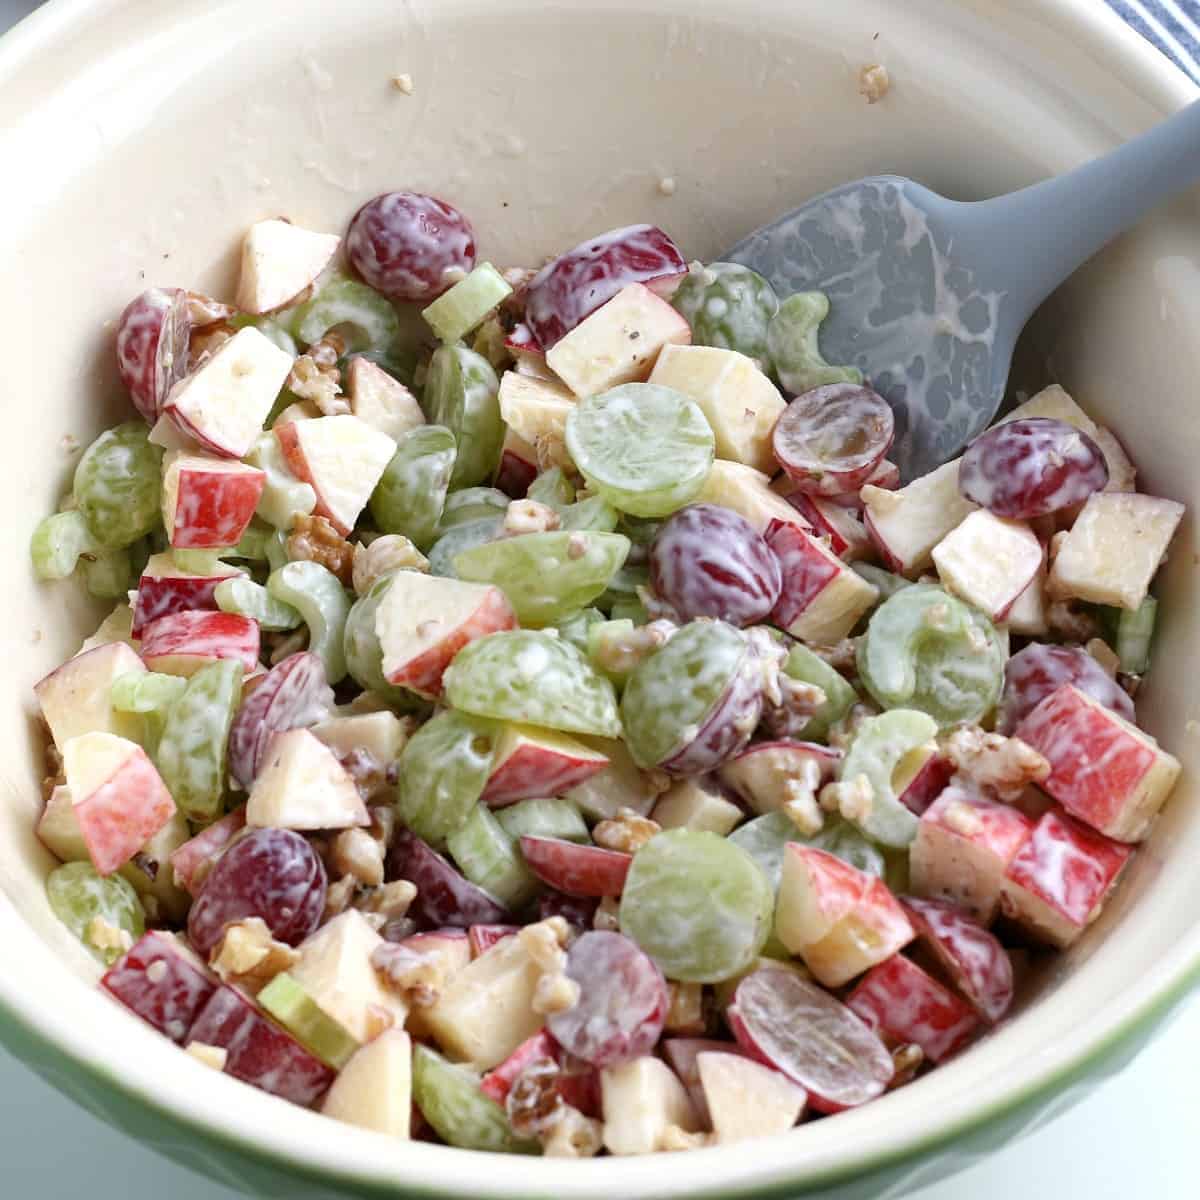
column 152, row 347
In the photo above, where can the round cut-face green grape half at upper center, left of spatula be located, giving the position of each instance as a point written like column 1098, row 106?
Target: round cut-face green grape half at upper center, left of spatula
column 644, row 448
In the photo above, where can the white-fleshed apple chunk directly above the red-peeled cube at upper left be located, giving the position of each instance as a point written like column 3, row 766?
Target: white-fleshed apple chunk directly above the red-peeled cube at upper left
column 224, row 404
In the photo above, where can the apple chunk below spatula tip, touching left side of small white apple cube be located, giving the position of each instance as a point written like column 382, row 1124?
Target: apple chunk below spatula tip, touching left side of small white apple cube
column 907, row 525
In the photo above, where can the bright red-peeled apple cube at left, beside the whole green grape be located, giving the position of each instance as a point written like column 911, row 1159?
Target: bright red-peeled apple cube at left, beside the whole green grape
column 208, row 502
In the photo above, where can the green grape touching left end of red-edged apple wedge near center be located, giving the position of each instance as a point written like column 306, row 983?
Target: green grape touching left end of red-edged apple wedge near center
column 443, row 772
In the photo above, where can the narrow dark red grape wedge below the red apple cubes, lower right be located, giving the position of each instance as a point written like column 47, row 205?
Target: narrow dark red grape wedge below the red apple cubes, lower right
column 971, row 957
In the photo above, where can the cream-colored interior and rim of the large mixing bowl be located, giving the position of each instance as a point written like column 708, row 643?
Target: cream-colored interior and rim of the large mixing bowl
column 140, row 140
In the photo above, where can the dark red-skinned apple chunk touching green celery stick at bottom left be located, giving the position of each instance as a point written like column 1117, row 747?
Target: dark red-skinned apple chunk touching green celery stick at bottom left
column 260, row 1052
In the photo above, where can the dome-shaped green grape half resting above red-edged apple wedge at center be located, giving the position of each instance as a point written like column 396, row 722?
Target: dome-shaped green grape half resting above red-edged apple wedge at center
column 536, row 679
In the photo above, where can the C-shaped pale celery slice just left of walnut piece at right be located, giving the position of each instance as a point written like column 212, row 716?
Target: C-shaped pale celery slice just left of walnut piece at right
column 880, row 751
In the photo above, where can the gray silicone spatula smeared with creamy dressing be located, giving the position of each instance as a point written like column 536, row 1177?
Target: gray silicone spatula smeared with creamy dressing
column 928, row 296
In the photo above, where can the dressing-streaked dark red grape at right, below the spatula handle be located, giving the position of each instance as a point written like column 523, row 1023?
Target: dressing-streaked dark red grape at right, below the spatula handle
column 1031, row 469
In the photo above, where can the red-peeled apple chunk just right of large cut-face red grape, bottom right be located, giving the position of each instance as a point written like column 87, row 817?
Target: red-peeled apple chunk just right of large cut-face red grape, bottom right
column 908, row 1006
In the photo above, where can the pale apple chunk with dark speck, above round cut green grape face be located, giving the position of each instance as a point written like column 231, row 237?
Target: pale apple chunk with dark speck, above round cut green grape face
column 617, row 344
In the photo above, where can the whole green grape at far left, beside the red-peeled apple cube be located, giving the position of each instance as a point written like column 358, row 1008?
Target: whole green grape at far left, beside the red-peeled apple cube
column 118, row 483
